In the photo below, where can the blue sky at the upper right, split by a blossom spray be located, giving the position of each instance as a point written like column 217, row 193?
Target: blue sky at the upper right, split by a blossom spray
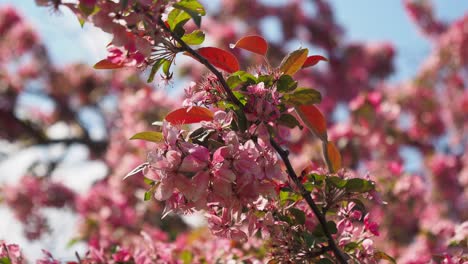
column 386, row 20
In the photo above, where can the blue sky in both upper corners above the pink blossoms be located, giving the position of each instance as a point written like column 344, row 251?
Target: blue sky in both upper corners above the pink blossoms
column 364, row 20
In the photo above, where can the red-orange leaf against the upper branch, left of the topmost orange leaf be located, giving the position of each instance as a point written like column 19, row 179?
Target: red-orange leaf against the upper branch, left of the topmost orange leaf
column 220, row 58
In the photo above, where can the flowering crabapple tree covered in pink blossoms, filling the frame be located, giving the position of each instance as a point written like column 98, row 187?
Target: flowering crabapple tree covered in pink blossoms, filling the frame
column 249, row 147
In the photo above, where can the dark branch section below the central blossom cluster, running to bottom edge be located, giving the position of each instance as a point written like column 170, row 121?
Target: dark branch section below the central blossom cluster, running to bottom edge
column 304, row 193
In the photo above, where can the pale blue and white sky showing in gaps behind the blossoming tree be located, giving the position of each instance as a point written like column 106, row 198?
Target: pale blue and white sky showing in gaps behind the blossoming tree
column 363, row 20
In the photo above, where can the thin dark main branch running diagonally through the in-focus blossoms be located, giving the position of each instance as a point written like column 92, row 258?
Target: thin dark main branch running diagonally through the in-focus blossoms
column 283, row 153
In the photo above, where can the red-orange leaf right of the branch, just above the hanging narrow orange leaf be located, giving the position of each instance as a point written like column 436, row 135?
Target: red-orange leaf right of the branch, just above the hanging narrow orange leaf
column 314, row 120
